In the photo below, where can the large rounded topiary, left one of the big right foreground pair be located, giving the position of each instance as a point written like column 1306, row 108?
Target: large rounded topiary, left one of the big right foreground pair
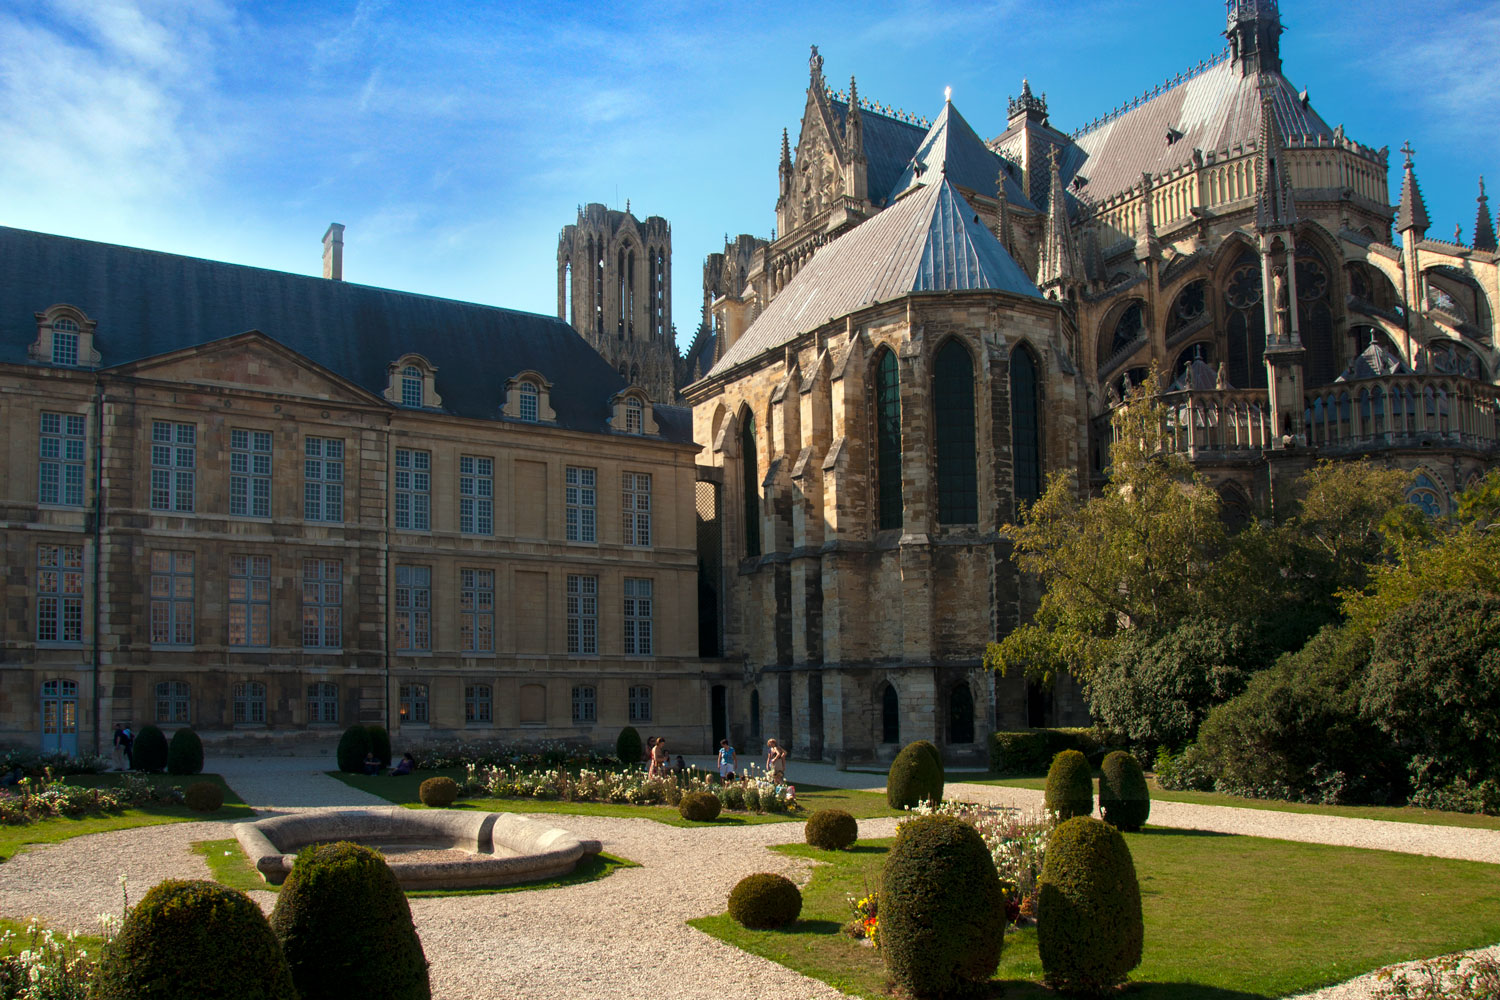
column 943, row 912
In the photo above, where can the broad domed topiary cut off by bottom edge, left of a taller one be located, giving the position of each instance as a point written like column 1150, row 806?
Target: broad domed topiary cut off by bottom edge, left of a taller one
column 194, row 939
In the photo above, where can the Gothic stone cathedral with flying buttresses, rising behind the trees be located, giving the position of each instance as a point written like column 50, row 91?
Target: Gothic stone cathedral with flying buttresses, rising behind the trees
column 943, row 322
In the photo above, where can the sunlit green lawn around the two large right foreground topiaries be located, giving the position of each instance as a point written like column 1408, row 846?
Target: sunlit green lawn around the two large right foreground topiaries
column 1226, row 917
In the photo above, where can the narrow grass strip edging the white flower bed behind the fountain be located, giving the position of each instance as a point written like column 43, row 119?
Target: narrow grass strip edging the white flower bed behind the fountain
column 403, row 791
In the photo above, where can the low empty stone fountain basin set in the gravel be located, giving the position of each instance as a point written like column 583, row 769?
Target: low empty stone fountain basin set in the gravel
column 428, row 849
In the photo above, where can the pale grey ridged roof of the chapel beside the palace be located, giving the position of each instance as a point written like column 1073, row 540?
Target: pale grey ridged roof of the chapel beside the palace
column 929, row 241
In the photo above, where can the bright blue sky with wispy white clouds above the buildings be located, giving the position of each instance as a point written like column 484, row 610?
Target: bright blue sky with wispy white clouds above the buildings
column 455, row 140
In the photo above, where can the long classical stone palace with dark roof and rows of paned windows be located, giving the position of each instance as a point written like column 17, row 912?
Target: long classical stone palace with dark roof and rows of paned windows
column 269, row 506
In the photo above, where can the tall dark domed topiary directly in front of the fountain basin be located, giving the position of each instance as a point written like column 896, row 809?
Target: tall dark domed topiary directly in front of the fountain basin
column 347, row 930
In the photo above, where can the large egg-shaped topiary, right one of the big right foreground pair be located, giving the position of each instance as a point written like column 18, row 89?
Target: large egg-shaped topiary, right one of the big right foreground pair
column 1090, row 926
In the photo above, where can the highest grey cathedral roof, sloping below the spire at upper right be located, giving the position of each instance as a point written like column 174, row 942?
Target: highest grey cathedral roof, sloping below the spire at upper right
column 1213, row 110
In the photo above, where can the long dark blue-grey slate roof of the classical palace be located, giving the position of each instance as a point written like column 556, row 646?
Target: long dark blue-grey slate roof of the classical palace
column 151, row 304
